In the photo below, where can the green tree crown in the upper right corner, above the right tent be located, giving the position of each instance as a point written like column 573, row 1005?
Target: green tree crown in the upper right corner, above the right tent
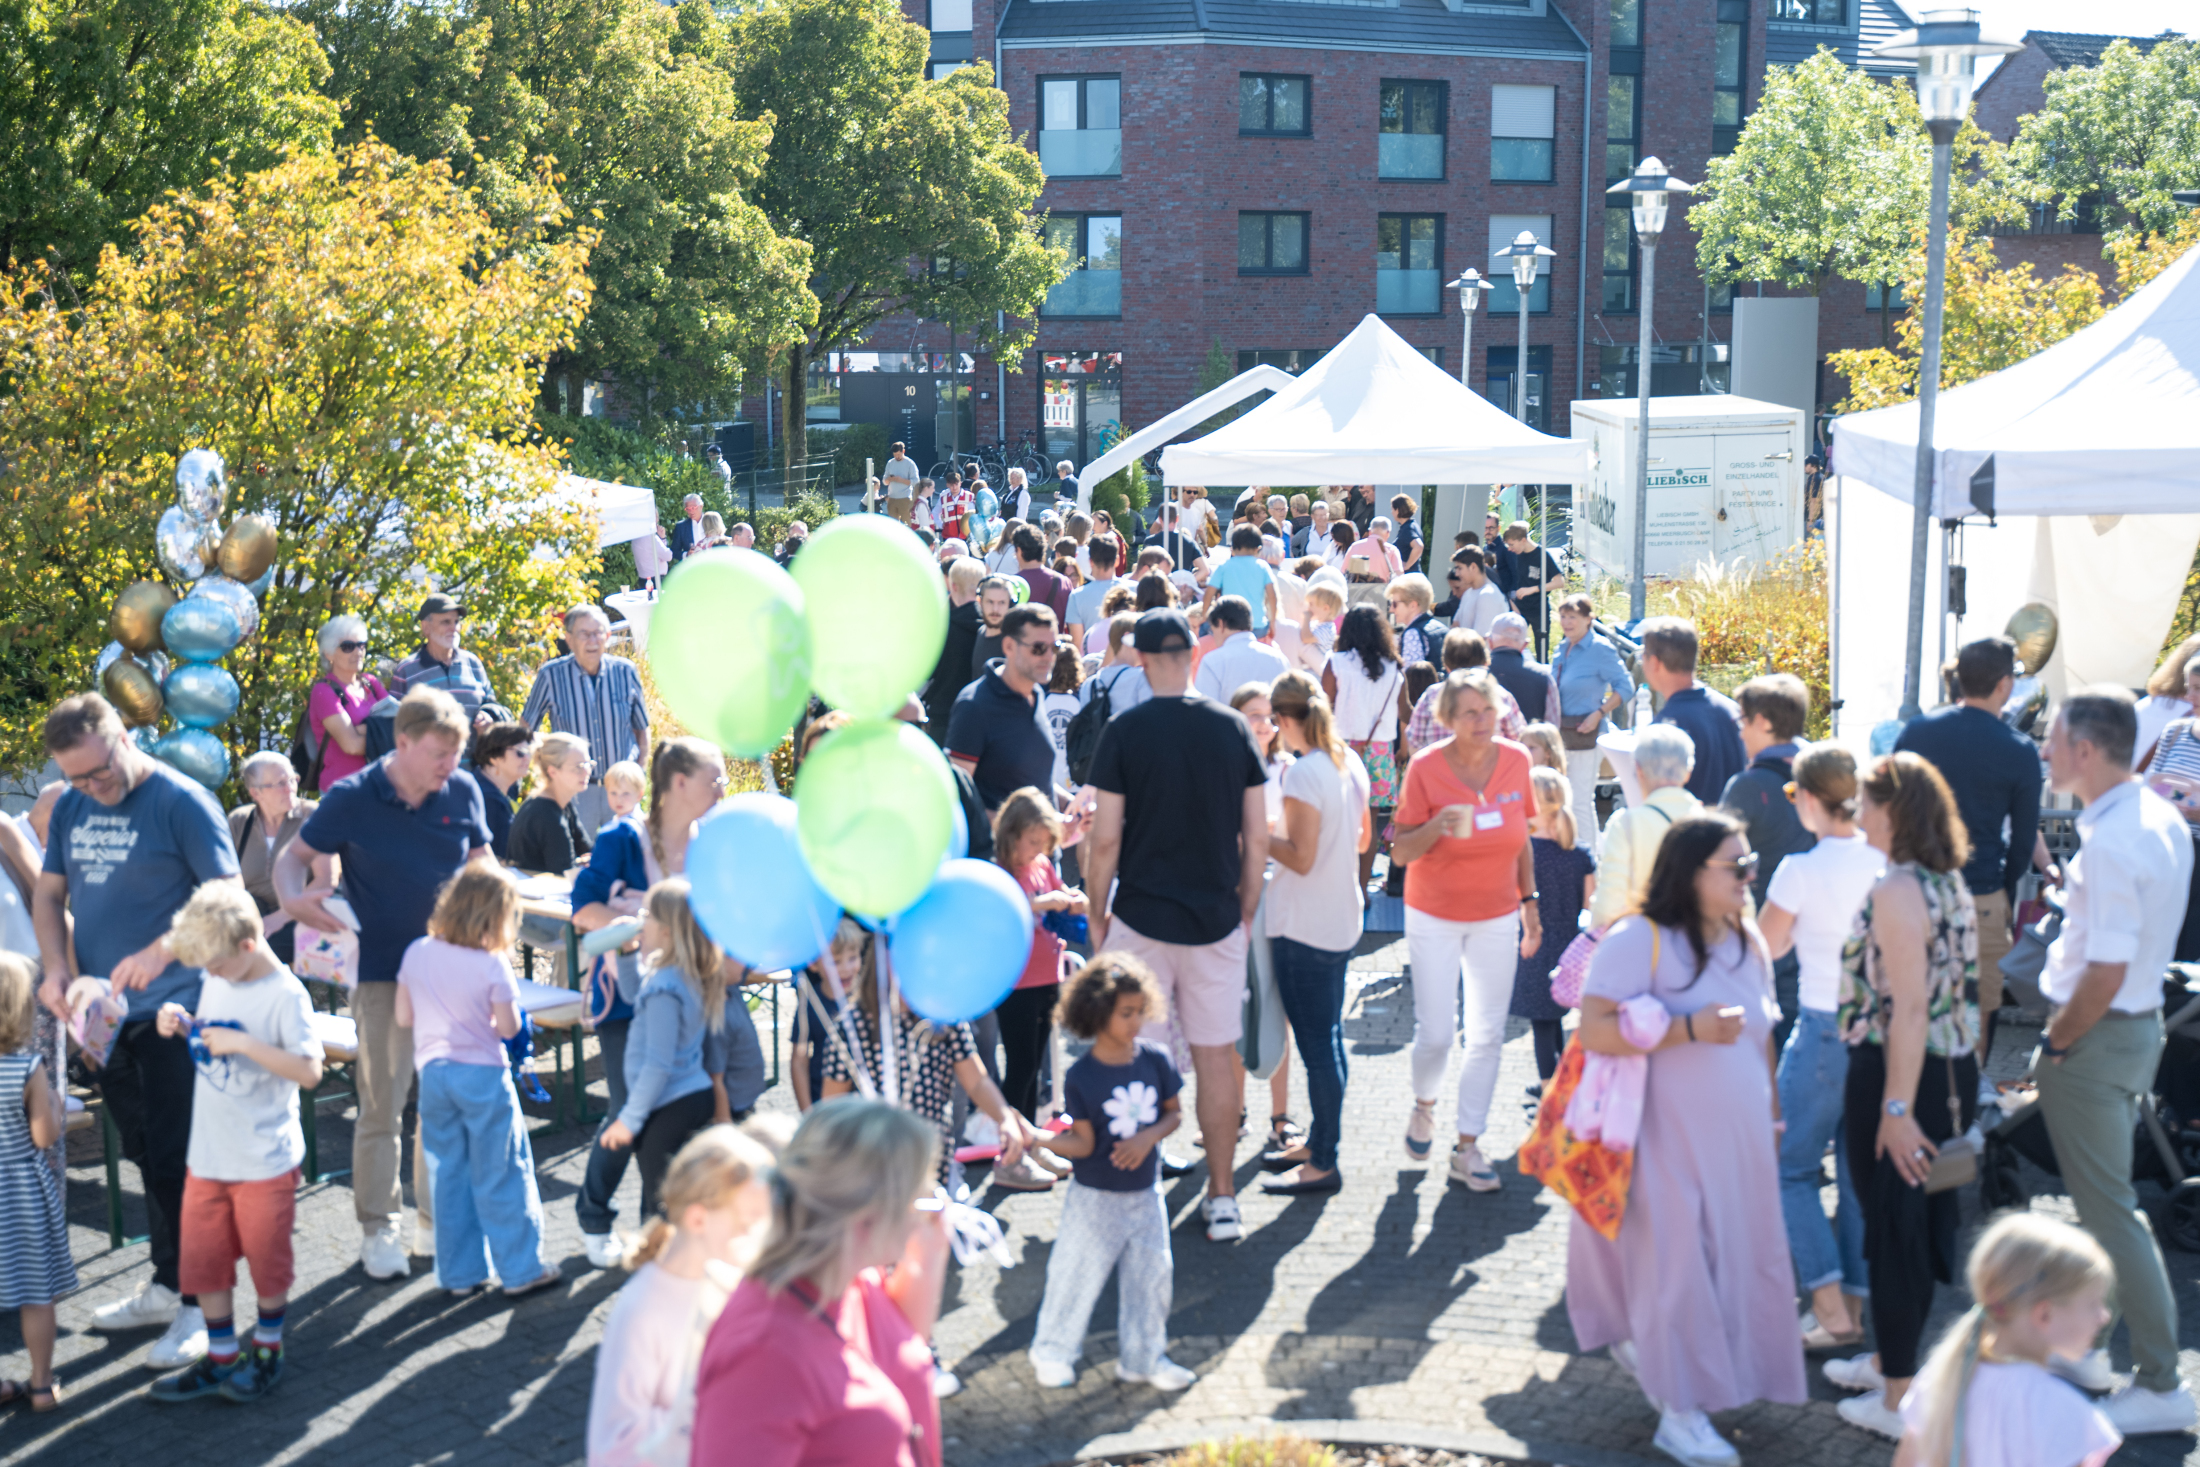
column 2120, row 135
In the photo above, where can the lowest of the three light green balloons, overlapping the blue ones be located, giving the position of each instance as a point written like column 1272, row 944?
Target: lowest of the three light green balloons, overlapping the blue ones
column 874, row 808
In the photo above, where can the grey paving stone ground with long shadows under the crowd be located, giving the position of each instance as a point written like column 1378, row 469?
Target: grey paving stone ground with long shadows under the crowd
column 1400, row 1310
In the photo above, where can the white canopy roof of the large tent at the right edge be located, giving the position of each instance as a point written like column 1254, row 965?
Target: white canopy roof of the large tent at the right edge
column 2100, row 423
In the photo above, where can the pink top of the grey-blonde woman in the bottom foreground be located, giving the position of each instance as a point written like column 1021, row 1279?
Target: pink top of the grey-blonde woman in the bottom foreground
column 784, row 1385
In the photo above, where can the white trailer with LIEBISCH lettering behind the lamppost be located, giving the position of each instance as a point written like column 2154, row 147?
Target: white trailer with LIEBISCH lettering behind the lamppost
column 1726, row 483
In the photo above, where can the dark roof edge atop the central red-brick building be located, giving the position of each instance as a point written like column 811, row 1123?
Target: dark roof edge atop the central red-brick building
column 1409, row 25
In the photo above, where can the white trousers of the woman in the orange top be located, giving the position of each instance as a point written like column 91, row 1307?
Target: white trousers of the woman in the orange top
column 1486, row 953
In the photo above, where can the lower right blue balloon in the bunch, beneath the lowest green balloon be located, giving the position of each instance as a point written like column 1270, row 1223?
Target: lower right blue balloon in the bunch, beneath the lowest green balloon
column 962, row 947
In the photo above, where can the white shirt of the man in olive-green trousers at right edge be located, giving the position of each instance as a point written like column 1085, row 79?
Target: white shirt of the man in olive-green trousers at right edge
column 2124, row 898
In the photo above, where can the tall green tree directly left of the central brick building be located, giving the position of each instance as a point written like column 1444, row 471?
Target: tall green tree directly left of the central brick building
column 912, row 192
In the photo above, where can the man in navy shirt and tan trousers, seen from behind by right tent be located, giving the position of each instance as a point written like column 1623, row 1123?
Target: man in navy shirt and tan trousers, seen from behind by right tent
column 1994, row 775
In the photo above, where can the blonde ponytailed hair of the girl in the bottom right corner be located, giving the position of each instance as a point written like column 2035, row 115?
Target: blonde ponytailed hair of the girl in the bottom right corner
column 2021, row 1261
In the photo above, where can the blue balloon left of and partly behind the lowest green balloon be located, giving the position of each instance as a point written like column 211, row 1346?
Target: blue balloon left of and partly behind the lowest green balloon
column 751, row 887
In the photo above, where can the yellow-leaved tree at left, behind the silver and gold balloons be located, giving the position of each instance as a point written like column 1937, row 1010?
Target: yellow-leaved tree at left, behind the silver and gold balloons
column 362, row 344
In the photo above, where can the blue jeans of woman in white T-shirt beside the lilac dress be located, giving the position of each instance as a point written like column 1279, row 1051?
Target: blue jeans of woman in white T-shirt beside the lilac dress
column 1814, row 1072
